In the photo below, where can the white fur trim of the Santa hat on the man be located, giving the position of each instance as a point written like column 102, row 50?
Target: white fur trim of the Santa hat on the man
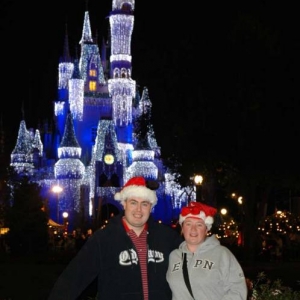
column 136, row 191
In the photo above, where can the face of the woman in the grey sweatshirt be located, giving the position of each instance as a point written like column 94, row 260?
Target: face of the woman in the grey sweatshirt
column 194, row 231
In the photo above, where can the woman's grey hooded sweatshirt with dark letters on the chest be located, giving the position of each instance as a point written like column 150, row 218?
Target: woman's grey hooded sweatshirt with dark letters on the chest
column 214, row 272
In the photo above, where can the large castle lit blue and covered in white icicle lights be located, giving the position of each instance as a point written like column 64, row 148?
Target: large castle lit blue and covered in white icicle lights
column 103, row 134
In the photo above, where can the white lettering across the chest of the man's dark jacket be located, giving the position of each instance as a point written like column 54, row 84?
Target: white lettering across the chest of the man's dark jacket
column 129, row 257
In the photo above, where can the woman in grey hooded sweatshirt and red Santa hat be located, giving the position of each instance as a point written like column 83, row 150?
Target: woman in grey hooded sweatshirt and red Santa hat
column 212, row 271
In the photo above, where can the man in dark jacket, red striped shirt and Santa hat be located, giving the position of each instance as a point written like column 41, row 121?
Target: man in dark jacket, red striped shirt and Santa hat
column 129, row 256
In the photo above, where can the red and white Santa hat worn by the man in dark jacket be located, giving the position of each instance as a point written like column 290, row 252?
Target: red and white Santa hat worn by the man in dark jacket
column 138, row 187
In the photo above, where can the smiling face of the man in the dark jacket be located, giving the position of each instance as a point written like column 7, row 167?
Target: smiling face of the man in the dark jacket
column 137, row 211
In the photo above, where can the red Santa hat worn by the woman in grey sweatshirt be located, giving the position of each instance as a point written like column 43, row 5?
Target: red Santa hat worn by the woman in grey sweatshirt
column 198, row 210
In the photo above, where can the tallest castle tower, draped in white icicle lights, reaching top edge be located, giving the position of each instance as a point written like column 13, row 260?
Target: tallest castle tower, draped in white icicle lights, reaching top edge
column 121, row 86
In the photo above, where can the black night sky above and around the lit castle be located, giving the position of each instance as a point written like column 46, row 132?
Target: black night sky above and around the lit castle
column 223, row 76
